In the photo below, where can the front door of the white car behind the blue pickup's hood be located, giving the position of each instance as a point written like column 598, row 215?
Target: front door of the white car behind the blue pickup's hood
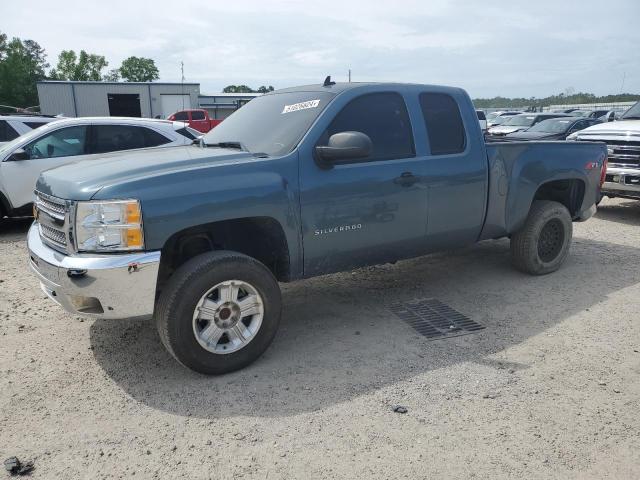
column 51, row 150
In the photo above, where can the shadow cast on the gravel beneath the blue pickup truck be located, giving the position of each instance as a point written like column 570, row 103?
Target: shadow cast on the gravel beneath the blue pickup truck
column 338, row 340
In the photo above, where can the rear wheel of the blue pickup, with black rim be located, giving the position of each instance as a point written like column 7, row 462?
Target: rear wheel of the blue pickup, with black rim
column 542, row 244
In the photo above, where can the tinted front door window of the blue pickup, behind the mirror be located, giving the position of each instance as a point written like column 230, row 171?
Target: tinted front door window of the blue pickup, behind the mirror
column 381, row 116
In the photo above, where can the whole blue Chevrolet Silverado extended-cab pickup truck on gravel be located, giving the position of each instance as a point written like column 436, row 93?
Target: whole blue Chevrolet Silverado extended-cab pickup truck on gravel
column 301, row 182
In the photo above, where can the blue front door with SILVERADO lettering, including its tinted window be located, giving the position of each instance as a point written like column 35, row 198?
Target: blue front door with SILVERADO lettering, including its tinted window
column 368, row 211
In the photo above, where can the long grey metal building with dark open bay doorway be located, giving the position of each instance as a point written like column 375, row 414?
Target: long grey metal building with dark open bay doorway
column 122, row 99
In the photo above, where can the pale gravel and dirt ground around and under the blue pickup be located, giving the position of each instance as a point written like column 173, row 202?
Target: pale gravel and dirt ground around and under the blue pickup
column 550, row 389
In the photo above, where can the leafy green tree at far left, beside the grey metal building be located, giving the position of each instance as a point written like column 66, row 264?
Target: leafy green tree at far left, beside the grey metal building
column 22, row 64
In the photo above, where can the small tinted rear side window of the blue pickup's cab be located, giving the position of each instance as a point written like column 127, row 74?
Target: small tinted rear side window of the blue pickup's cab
column 444, row 123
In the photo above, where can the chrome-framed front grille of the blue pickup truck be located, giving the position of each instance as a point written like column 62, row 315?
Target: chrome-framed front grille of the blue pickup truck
column 52, row 217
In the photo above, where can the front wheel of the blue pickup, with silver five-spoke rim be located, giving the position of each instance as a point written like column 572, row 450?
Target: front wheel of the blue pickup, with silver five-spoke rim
column 187, row 334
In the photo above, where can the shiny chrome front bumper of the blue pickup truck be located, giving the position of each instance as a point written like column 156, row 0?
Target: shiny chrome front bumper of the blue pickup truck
column 97, row 285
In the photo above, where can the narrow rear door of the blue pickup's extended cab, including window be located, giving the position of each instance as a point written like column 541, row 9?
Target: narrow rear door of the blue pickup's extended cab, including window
column 456, row 171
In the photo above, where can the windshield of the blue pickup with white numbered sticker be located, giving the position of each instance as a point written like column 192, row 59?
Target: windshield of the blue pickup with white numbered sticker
column 272, row 124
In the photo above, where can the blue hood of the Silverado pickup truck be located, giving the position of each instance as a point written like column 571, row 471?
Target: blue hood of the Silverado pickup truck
column 83, row 179
